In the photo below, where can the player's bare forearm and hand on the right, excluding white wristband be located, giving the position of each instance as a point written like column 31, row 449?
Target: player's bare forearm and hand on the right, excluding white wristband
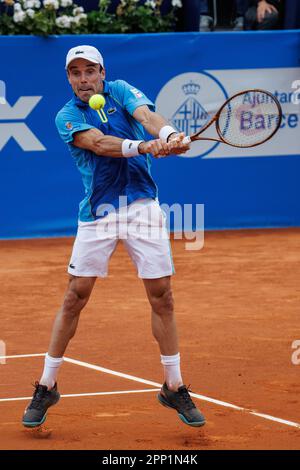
column 154, row 122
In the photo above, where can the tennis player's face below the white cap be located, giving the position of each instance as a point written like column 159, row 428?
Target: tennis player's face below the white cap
column 85, row 78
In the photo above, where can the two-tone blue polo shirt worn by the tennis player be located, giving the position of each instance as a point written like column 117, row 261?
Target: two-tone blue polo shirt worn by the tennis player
column 105, row 179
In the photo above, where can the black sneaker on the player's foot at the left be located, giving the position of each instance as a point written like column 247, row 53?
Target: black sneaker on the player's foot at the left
column 36, row 412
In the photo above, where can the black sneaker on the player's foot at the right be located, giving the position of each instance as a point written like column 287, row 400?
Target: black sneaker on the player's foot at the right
column 183, row 404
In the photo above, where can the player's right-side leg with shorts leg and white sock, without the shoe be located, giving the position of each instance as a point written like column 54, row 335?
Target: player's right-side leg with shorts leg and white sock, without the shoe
column 148, row 245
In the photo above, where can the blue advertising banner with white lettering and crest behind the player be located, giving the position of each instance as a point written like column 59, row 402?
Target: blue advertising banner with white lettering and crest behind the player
column 182, row 73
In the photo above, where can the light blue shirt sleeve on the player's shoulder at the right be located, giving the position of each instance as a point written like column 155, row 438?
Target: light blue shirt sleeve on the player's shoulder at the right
column 130, row 97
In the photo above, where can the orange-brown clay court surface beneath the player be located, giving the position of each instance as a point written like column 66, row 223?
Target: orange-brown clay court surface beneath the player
column 237, row 304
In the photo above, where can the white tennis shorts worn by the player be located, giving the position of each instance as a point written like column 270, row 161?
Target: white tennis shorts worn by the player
column 142, row 228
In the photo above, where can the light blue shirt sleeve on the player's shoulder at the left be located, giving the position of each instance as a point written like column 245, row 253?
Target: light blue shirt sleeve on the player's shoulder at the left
column 70, row 121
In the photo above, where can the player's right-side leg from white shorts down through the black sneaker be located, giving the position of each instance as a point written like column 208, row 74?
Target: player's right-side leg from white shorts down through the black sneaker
column 148, row 245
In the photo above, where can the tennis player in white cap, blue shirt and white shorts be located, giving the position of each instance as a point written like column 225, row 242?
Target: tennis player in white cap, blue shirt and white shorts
column 114, row 160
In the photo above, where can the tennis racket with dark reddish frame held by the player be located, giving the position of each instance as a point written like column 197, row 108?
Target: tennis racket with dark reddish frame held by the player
column 247, row 119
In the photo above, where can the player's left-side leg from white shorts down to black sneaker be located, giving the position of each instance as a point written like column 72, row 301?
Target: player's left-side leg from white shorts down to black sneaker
column 90, row 256
